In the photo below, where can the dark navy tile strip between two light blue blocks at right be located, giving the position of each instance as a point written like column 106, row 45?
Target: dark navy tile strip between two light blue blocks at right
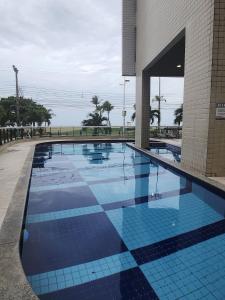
column 163, row 248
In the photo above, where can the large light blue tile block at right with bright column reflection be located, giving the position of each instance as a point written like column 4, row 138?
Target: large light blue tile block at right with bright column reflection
column 139, row 226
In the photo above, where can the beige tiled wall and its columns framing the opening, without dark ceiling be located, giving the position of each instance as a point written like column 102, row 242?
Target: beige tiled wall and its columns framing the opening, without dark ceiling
column 158, row 23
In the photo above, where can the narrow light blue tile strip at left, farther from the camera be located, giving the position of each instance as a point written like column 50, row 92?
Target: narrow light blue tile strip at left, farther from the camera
column 63, row 214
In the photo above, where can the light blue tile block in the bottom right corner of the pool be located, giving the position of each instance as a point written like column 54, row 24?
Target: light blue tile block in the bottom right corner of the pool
column 197, row 272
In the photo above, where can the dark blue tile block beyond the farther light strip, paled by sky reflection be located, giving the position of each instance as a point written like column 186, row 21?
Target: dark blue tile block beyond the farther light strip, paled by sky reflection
column 55, row 200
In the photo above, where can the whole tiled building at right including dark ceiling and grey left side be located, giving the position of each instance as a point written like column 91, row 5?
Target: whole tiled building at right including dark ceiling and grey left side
column 159, row 36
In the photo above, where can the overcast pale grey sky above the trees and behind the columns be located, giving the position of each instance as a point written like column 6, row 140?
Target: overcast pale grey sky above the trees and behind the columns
column 68, row 51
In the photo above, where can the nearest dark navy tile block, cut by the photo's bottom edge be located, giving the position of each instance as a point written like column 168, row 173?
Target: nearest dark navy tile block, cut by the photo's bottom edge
column 127, row 285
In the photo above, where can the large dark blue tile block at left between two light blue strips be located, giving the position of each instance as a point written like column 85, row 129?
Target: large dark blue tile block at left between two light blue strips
column 62, row 243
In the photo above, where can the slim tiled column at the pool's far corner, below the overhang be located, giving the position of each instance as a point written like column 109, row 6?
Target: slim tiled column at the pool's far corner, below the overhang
column 142, row 111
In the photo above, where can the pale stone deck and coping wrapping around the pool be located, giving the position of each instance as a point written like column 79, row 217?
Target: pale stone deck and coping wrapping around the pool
column 15, row 168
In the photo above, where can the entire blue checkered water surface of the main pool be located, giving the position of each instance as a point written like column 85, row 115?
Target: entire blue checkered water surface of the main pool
column 107, row 222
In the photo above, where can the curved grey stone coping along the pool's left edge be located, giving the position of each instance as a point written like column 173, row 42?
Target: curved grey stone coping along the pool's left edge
column 13, row 282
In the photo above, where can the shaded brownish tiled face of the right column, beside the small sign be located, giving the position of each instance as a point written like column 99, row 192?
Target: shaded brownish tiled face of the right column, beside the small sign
column 216, row 133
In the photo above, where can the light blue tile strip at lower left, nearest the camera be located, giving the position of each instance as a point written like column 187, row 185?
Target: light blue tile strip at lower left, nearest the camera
column 79, row 274
